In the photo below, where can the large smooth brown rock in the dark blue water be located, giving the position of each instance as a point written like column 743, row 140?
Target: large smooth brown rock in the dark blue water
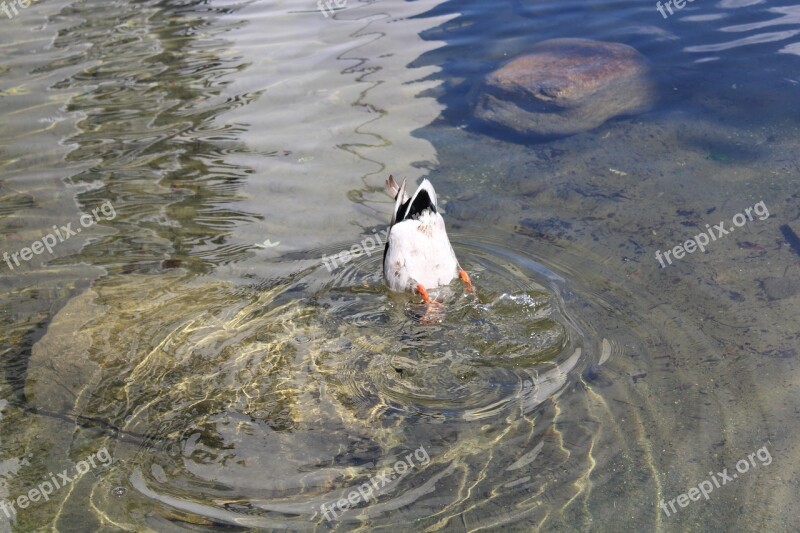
column 565, row 86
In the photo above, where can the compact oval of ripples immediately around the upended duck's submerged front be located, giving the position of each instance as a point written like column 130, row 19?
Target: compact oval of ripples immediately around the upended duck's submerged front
column 476, row 357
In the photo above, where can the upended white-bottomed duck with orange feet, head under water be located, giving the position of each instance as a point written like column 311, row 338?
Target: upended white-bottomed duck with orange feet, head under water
column 418, row 255
